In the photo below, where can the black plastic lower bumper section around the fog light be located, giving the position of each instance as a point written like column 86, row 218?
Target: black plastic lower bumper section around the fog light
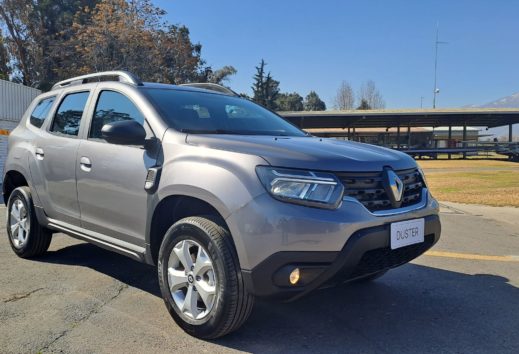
column 367, row 251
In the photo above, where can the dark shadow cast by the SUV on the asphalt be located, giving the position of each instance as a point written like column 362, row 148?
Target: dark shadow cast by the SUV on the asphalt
column 413, row 308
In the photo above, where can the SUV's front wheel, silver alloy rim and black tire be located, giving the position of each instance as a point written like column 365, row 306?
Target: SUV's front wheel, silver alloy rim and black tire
column 230, row 304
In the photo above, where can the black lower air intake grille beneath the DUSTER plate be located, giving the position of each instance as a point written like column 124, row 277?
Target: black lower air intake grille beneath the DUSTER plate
column 385, row 258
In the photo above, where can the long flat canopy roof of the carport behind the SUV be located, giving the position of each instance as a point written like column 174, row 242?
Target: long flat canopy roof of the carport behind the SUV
column 476, row 117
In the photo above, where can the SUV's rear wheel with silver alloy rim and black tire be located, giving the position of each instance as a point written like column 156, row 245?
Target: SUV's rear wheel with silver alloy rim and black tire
column 27, row 237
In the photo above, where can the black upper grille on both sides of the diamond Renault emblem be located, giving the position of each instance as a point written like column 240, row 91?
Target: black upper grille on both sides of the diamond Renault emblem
column 368, row 188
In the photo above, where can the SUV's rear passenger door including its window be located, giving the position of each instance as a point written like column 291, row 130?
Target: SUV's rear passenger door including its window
column 53, row 165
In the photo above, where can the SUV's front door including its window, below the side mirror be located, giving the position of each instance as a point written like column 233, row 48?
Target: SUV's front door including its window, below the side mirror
column 110, row 177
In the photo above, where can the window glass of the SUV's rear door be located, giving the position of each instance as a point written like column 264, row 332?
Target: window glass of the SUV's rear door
column 68, row 117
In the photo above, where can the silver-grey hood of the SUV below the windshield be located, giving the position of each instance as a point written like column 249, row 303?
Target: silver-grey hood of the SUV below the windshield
column 308, row 152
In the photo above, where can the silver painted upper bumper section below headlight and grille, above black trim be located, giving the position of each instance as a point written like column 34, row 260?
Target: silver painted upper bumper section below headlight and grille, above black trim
column 266, row 226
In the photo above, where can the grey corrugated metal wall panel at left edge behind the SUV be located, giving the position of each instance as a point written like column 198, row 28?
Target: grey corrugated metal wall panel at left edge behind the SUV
column 14, row 100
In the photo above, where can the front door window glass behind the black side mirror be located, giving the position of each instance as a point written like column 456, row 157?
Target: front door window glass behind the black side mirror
column 113, row 107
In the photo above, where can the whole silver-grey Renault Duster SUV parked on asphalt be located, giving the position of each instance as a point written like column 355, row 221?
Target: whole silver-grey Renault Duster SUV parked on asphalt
column 226, row 198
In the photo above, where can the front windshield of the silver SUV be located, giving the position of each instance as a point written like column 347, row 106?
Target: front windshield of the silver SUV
column 208, row 113
